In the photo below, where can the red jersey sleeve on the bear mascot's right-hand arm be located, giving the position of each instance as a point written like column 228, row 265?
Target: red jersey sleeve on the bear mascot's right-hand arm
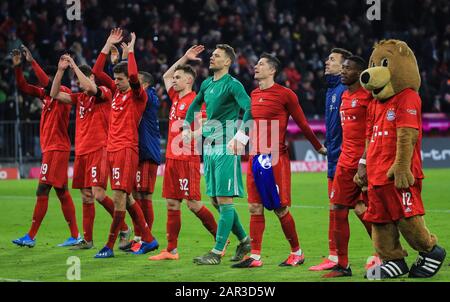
column 409, row 110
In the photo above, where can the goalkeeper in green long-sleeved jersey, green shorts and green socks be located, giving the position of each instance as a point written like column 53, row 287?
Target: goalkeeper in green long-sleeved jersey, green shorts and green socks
column 224, row 97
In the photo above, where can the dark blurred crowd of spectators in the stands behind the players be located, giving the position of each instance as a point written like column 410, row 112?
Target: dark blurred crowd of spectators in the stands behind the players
column 167, row 28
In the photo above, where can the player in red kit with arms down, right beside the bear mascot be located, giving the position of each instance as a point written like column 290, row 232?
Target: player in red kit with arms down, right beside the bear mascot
column 345, row 194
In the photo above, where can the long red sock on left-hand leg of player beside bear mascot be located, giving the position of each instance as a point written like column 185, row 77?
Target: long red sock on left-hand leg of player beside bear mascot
column 341, row 235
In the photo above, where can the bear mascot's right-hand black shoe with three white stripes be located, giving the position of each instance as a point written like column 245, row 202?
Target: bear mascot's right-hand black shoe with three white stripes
column 428, row 264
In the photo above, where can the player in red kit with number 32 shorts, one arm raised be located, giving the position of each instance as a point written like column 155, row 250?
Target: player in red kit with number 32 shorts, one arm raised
column 182, row 171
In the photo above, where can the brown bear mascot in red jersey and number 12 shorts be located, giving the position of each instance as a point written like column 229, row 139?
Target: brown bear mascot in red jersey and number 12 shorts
column 393, row 169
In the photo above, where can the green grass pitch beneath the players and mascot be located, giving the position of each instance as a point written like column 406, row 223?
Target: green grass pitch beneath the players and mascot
column 47, row 262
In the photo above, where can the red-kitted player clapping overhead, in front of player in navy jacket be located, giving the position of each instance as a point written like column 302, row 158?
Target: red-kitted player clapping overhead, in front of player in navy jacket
column 128, row 104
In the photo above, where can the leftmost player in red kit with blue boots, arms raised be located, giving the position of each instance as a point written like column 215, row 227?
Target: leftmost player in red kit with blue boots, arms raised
column 55, row 145
